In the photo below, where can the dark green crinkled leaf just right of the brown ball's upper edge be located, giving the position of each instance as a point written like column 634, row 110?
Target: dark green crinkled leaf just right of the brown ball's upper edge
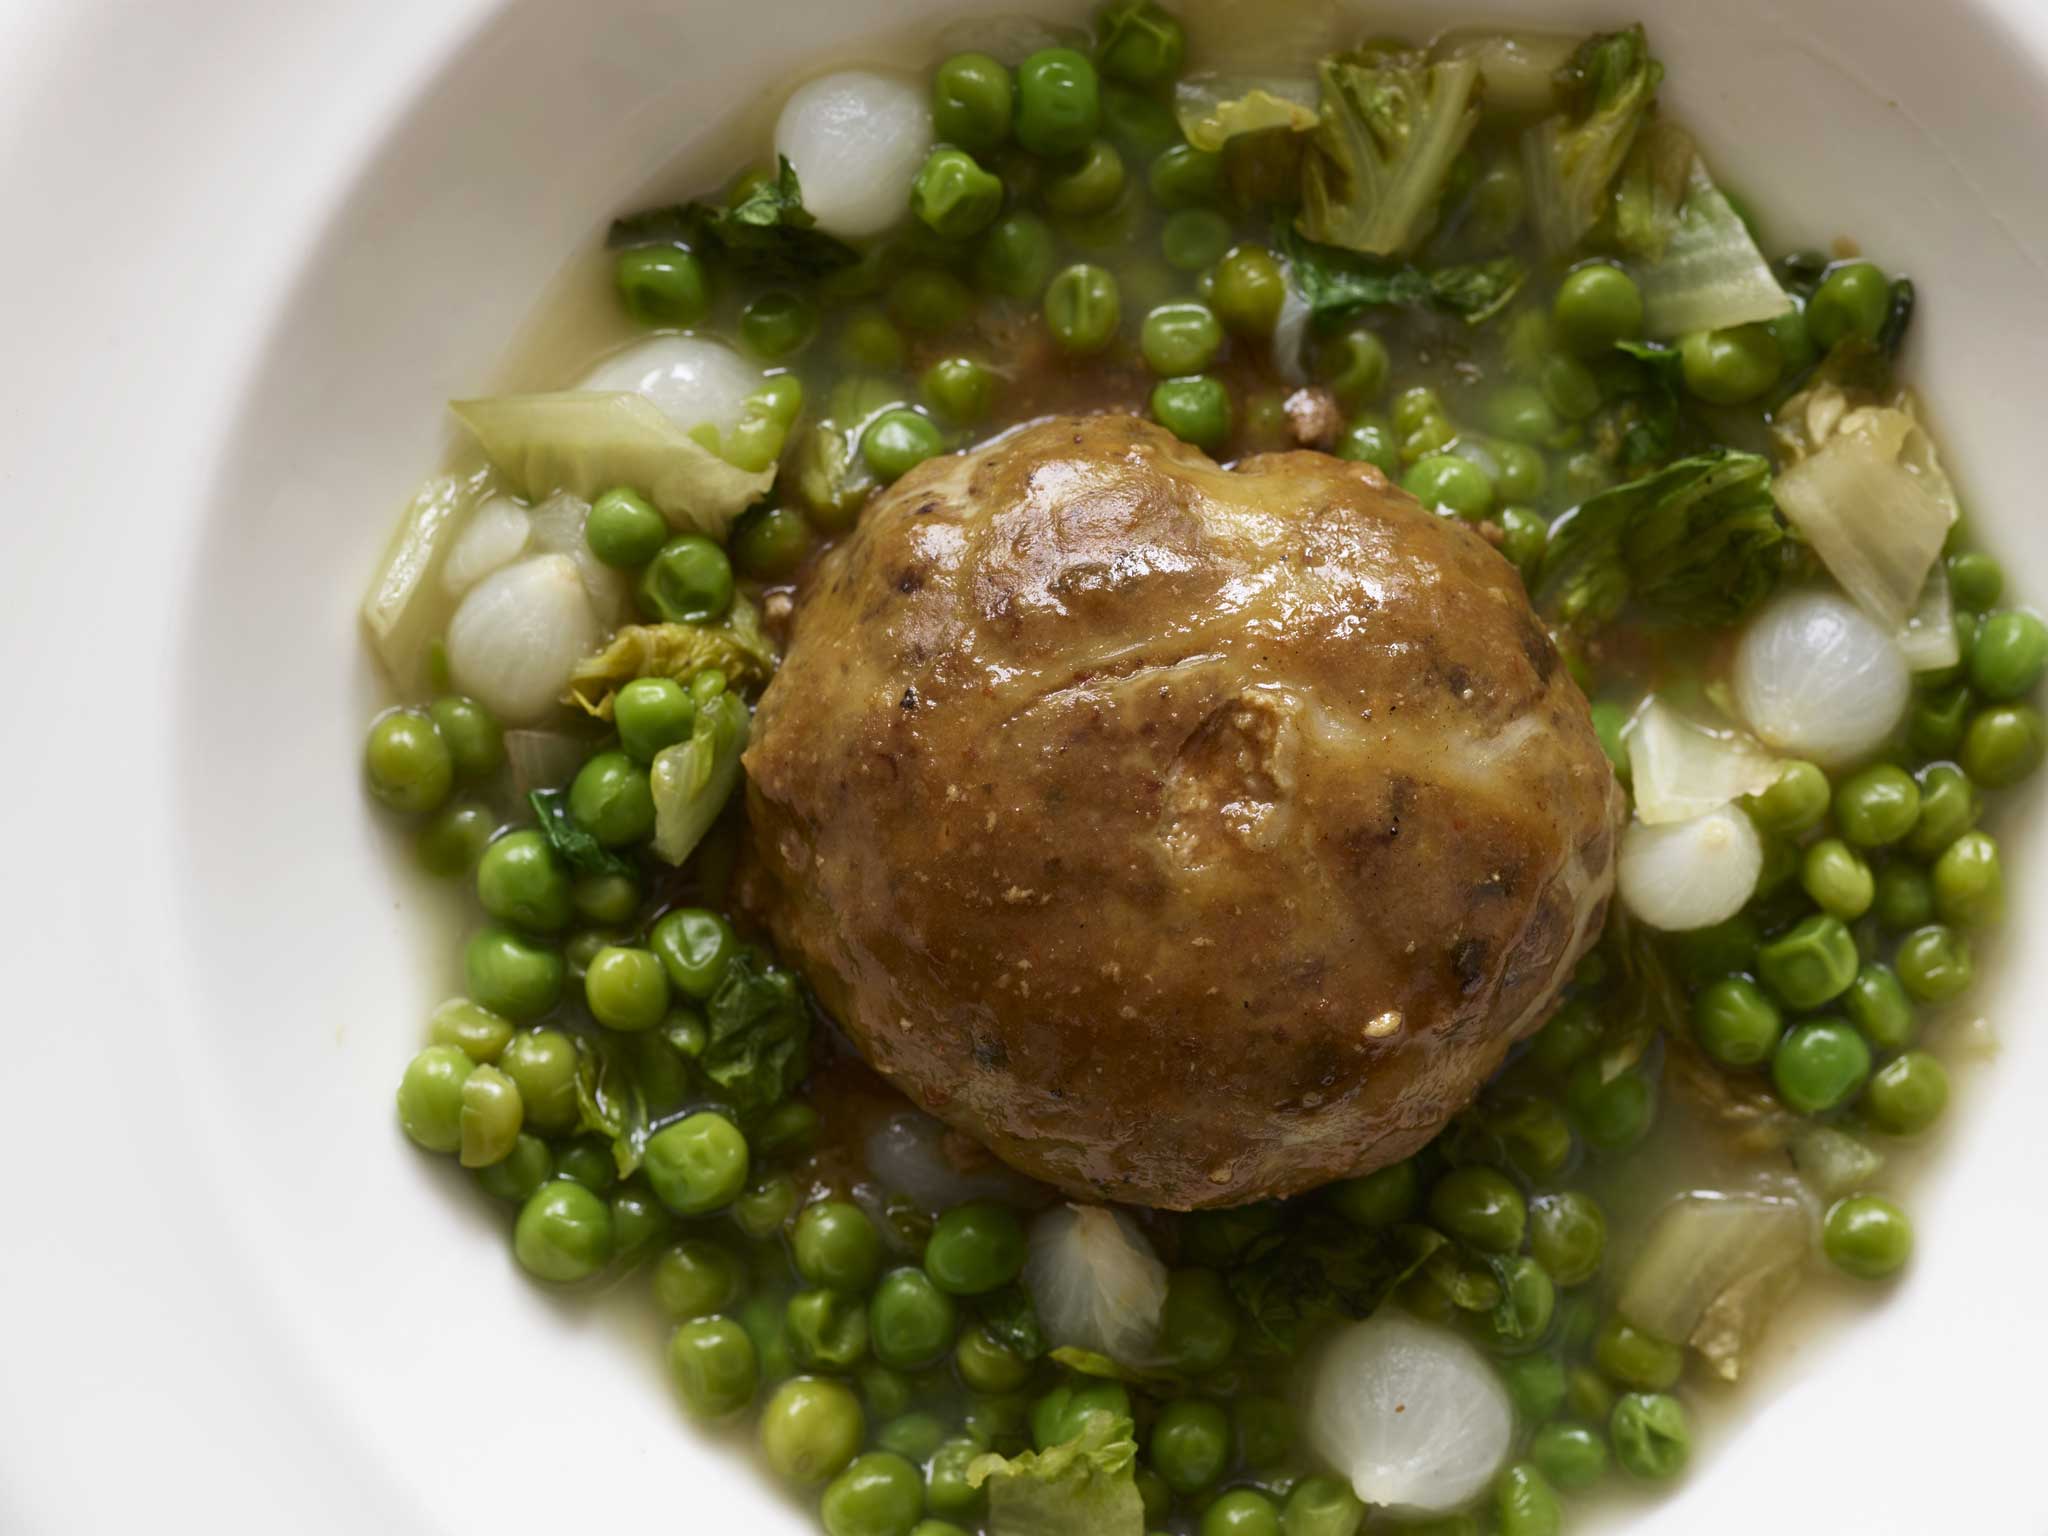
column 1699, row 544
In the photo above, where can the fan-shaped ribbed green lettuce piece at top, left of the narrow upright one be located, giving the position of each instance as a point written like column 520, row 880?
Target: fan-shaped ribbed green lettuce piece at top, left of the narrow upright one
column 1392, row 128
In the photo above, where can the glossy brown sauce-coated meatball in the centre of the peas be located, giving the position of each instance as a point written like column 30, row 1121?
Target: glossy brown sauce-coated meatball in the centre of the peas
column 1187, row 837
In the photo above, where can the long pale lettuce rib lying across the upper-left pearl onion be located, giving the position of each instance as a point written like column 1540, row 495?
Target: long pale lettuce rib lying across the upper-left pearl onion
column 589, row 441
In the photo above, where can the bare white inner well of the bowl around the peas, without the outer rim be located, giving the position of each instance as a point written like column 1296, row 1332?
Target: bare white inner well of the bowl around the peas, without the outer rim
column 306, row 957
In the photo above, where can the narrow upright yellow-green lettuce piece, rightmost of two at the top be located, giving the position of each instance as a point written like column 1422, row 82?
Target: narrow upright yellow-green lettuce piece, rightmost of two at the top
column 1574, row 157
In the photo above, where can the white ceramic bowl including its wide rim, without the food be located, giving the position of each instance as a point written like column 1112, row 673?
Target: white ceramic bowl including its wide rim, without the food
column 251, row 251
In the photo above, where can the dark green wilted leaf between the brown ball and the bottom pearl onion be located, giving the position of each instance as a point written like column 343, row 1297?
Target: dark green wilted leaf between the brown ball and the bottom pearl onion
column 1324, row 1273
